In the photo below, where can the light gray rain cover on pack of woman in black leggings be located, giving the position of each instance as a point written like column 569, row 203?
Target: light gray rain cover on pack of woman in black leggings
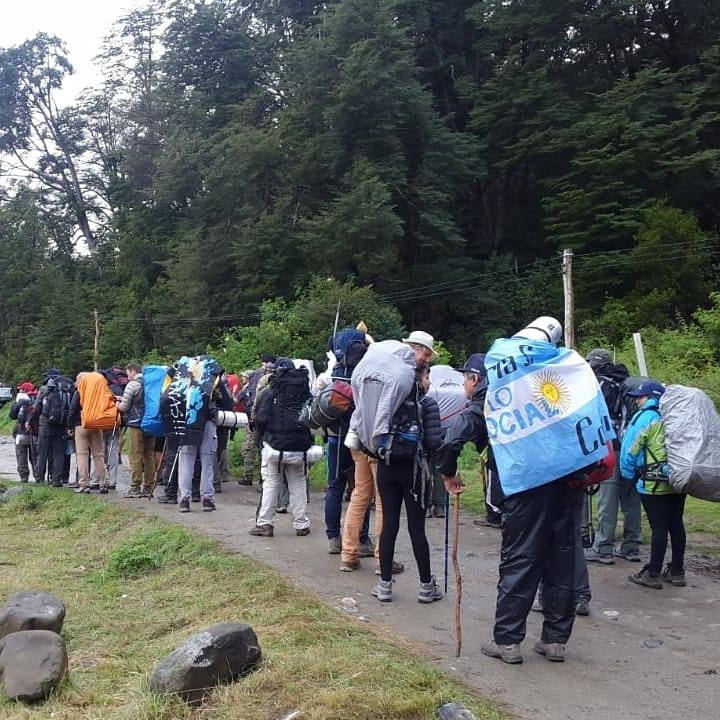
column 380, row 383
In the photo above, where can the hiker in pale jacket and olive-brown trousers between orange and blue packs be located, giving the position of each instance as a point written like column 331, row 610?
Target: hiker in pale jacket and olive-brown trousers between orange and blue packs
column 142, row 444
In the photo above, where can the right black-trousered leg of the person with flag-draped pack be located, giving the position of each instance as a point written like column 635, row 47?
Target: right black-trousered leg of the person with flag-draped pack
column 559, row 576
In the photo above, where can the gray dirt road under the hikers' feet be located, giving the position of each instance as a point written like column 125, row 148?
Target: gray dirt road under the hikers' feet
column 641, row 655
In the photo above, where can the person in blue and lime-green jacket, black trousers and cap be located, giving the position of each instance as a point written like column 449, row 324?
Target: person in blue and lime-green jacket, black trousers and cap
column 643, row 459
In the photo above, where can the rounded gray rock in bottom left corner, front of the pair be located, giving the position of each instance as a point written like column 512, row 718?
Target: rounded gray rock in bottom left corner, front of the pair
column 32, row 664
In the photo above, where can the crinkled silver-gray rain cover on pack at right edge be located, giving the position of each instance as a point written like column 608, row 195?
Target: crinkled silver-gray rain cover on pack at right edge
column 692, row 441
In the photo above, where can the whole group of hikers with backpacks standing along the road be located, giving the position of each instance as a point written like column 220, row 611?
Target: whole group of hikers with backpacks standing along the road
column 393, row 426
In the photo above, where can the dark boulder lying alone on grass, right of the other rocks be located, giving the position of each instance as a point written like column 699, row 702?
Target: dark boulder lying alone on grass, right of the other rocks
column 219, row 654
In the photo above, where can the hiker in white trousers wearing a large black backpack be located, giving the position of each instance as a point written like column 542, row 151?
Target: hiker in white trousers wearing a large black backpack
column 284, row 441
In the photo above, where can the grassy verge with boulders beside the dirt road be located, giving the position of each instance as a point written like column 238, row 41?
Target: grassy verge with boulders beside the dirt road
column 135, row 588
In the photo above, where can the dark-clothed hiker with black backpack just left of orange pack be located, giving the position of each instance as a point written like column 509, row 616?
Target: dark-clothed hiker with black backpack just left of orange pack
column 50, row 415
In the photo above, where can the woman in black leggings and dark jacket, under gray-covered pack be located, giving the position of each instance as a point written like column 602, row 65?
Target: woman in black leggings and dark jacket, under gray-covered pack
column 403, row 474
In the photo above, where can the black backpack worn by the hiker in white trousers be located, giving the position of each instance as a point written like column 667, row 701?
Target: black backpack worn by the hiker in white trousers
column 288, row 391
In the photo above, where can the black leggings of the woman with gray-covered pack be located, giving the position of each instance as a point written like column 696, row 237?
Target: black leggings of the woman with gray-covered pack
column 395, row 485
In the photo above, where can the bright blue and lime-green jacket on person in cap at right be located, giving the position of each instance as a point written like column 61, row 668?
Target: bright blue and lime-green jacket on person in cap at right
column 644, row 445
